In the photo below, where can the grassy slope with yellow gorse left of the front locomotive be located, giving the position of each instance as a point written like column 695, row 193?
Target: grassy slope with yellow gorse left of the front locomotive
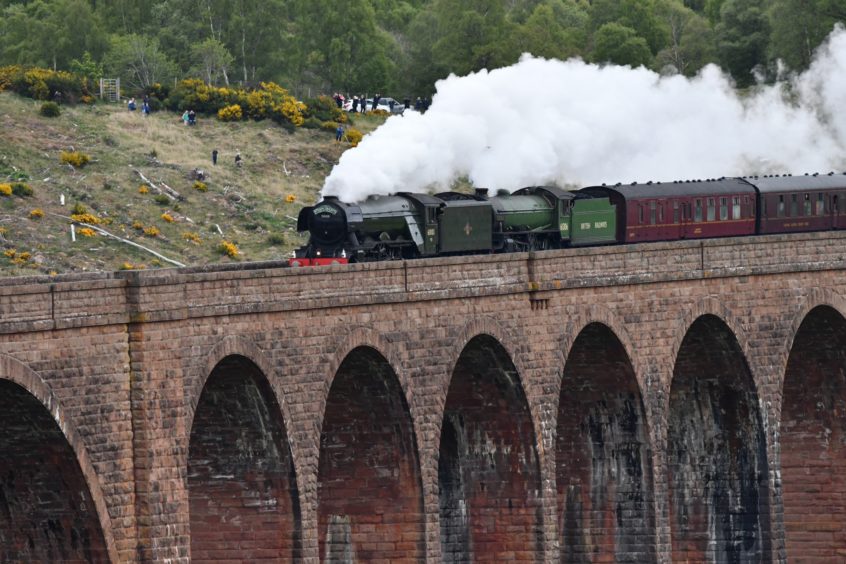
column 248, row 204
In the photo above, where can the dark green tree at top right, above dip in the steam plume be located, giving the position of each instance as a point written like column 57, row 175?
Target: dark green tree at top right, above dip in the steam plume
column 742, row 37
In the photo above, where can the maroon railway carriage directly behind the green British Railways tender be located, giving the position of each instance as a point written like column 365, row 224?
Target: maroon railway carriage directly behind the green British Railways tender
column 667, row 211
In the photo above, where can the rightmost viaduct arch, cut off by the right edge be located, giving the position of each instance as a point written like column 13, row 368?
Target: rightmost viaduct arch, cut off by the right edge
column 813, row 431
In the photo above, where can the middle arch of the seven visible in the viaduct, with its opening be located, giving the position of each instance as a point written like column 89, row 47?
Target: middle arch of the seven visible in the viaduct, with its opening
column 489, row 470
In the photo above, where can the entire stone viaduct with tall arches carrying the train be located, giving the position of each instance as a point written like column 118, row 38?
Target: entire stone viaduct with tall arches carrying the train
column 680, row 402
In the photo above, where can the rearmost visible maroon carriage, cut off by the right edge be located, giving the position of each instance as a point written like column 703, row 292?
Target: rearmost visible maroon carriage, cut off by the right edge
column 787, row 204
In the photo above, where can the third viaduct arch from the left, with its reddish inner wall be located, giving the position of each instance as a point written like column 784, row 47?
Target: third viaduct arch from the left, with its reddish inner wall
column 369, row 480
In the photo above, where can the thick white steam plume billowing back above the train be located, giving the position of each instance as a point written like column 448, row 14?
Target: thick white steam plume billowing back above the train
column 573, row 123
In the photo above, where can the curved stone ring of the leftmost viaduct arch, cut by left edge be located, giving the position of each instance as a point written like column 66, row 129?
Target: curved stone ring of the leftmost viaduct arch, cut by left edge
column 18, row 374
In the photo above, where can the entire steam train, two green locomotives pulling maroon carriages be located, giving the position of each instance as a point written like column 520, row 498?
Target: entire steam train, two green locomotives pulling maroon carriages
column 409, row 225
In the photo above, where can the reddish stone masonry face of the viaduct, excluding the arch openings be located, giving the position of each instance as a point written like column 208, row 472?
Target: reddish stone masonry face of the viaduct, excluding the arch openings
column 126, row 354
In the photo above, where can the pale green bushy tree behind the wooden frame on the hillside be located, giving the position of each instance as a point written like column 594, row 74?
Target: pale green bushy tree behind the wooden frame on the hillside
column 139, row 62
